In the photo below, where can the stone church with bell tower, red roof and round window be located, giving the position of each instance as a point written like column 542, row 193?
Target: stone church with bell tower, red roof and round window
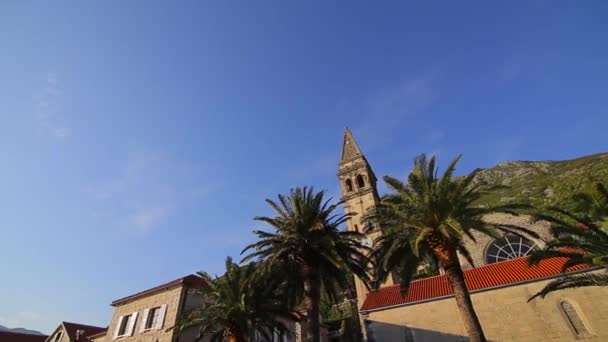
column 500, row 283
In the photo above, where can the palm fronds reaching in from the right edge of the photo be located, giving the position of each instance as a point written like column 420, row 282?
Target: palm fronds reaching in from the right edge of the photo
column 581, row 238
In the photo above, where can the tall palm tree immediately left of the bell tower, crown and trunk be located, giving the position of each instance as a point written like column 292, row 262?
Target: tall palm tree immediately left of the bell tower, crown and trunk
column 308, row 249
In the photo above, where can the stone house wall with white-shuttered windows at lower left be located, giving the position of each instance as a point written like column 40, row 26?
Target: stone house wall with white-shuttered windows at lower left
column 170, row 297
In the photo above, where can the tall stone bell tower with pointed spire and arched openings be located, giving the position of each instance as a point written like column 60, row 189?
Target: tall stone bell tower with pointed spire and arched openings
column 359, row 193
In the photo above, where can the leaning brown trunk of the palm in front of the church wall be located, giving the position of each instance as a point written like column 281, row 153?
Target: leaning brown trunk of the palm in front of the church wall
column 448, row 259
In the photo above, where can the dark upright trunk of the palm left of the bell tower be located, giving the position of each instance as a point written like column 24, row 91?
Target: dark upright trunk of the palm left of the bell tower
column 312, row 298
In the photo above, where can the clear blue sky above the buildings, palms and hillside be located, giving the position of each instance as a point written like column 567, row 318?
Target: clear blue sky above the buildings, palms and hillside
column 139, row 139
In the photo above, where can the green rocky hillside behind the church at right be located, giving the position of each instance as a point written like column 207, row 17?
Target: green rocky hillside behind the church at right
column 543, row 183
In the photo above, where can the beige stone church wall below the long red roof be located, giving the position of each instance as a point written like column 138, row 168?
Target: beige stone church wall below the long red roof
column 504, row 313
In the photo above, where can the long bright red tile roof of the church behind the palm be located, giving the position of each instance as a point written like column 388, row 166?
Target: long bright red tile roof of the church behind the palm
column 498, row 274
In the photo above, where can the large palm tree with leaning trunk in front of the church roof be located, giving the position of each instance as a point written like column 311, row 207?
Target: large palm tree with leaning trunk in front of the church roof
column 428, row 217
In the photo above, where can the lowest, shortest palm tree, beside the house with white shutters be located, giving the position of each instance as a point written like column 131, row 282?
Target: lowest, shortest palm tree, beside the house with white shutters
column 237, row 306
